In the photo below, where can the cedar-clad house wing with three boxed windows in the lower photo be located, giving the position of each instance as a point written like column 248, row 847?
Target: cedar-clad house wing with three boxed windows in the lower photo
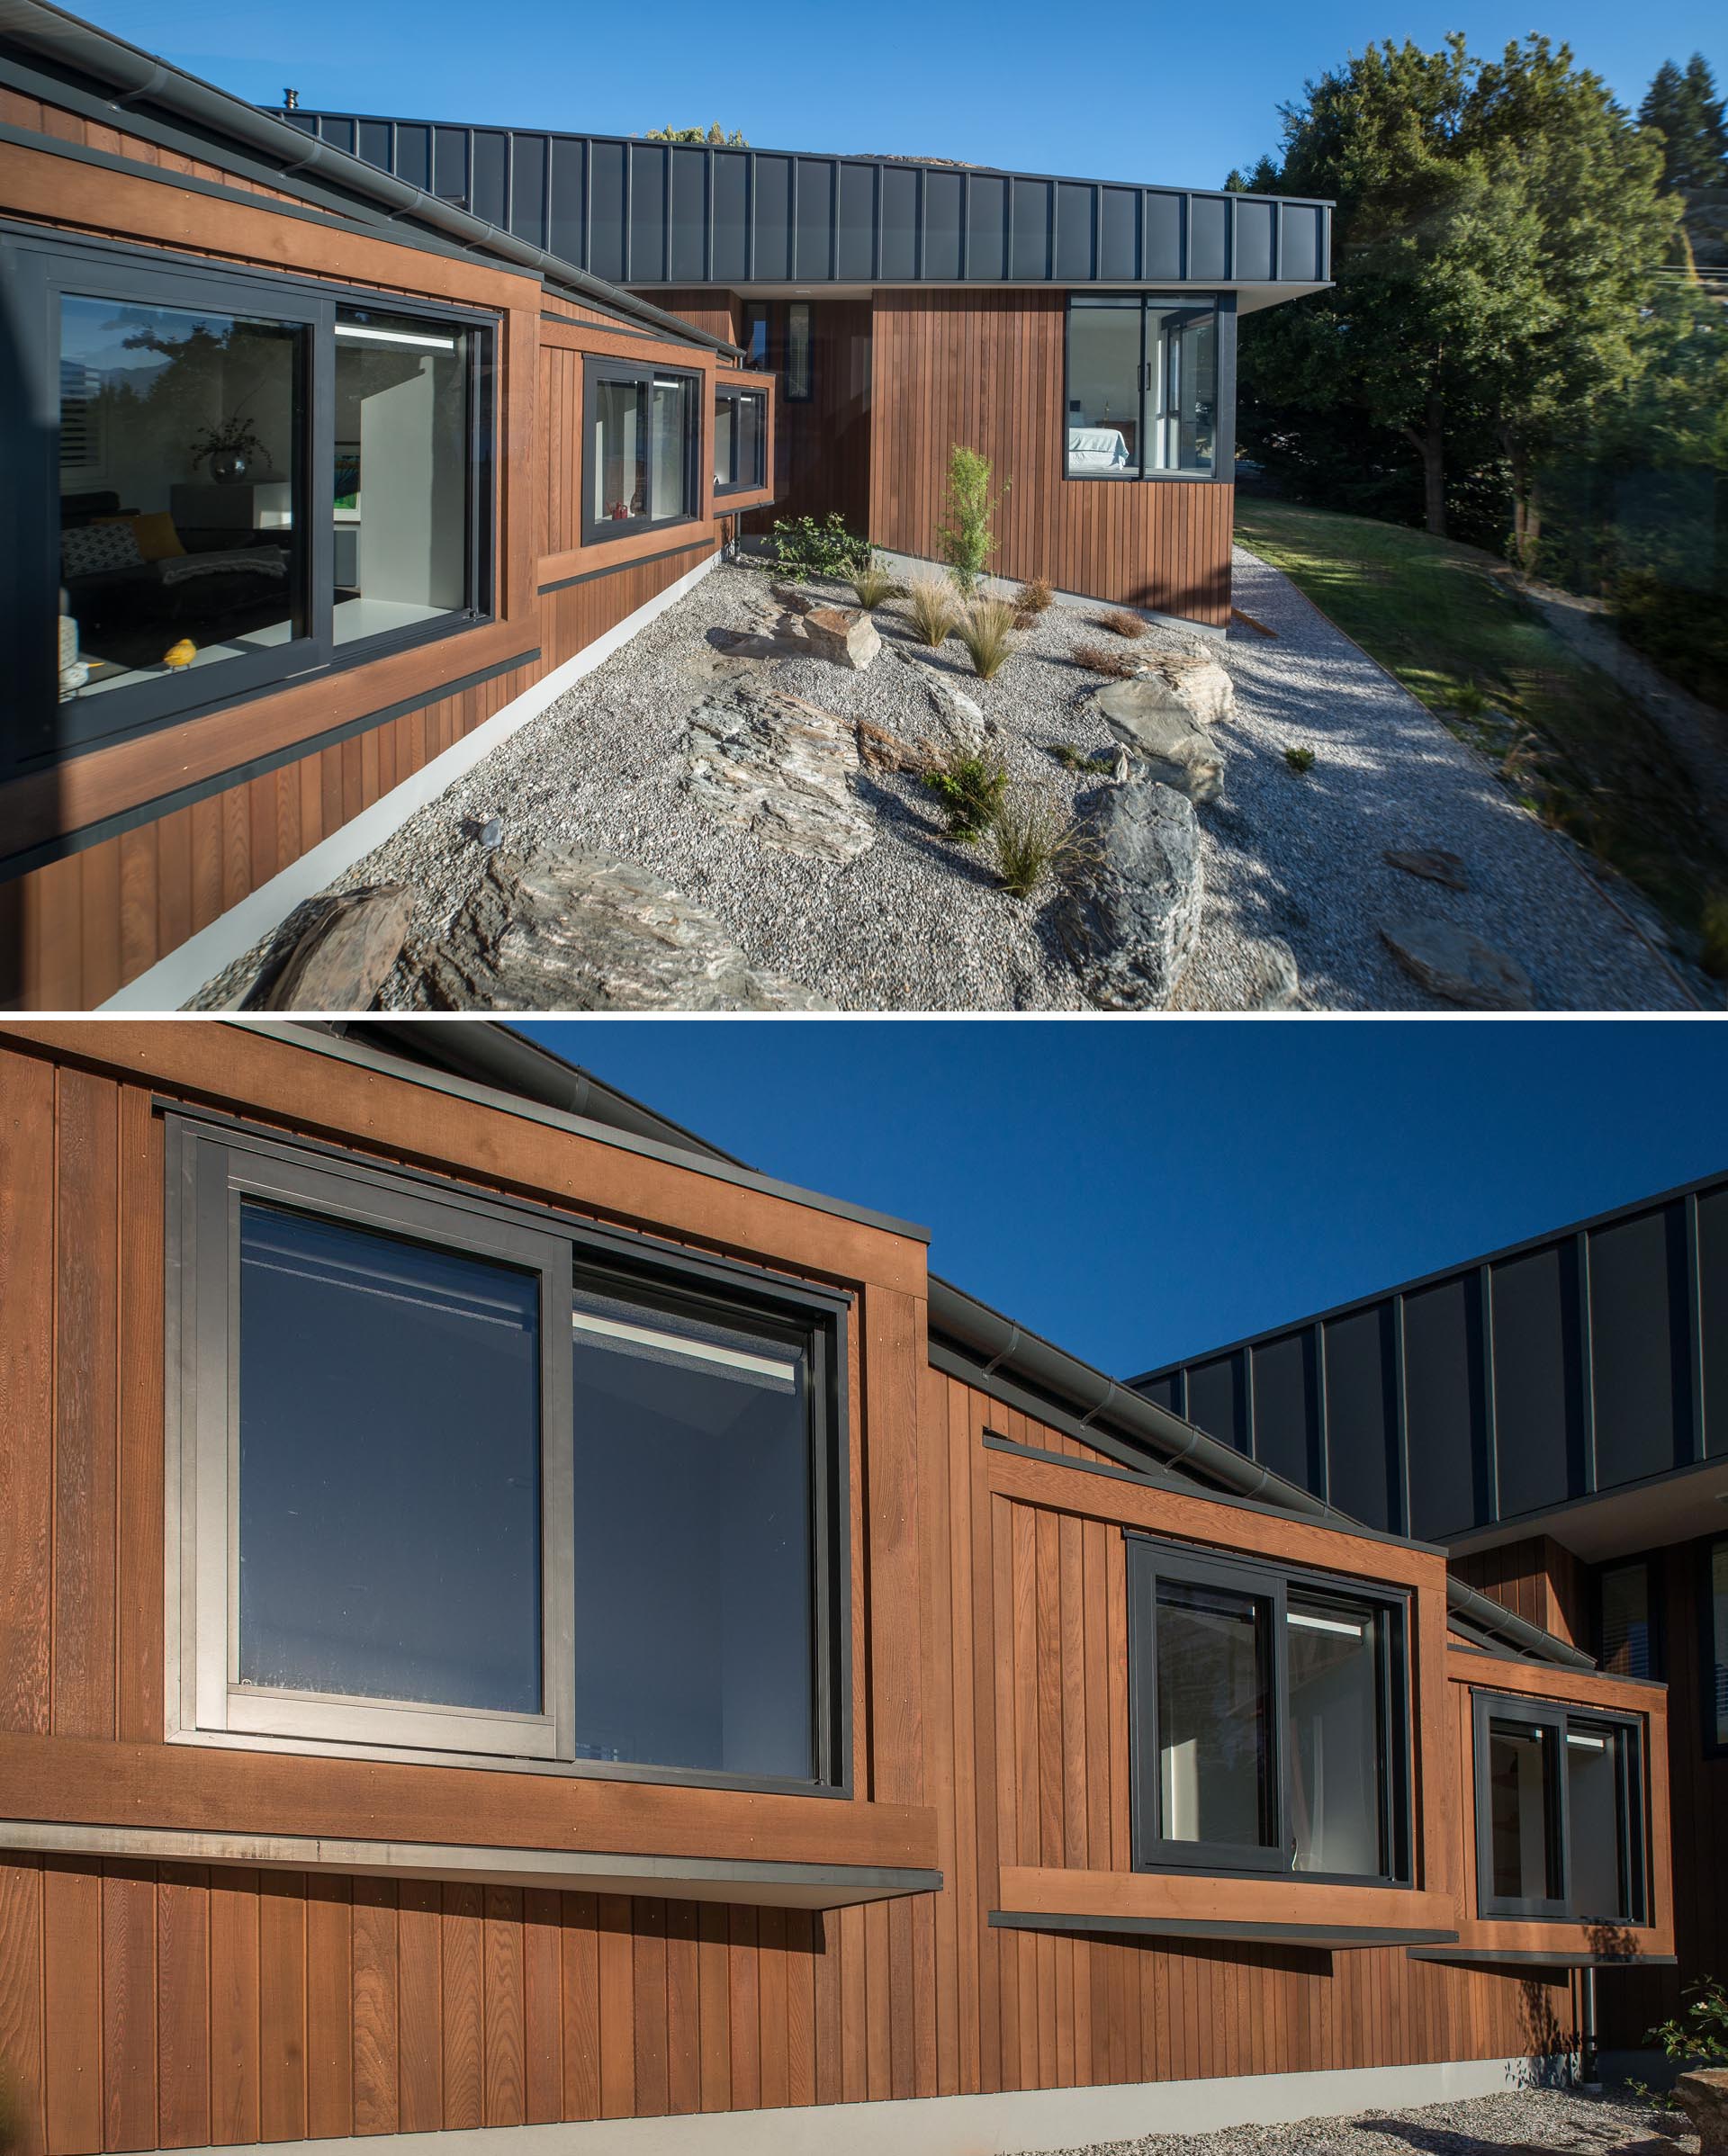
column 517, row 1625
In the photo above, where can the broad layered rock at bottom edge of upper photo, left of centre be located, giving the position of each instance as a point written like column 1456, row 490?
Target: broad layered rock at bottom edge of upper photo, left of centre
column 592, row 932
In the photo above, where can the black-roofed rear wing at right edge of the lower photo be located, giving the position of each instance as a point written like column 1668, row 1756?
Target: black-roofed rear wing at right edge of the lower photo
column 1556, row 1418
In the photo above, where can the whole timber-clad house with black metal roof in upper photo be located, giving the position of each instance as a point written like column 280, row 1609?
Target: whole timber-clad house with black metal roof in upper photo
column 338, row 450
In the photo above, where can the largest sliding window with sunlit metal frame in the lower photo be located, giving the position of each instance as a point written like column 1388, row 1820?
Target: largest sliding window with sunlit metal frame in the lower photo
column 458, row 1480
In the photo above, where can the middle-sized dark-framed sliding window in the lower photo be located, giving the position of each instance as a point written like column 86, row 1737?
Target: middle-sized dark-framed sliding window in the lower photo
column 1270, row 1719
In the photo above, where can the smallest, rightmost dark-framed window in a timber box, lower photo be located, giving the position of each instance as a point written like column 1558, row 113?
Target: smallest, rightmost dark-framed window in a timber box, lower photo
column 1559, row 1814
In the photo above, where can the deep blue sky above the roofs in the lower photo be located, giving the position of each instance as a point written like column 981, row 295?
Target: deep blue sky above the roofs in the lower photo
column 1140, row 1191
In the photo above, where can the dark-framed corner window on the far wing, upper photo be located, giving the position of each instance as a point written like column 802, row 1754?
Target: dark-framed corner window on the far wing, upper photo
column 1147, row 389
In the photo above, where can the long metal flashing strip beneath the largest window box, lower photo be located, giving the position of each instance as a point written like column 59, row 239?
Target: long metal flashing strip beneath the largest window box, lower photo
column 685, row 1879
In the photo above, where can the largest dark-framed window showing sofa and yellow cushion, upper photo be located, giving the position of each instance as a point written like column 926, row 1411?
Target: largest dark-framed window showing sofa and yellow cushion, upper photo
column 241, row 482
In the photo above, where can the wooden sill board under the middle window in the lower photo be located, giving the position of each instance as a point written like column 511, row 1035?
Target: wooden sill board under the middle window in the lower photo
column 1194, row 1905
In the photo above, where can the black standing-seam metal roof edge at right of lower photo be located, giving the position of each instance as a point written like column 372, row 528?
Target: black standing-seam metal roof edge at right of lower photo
column 1539, row 1377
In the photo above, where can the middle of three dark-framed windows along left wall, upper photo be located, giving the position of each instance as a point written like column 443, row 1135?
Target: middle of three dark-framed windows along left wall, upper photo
column 644, row 428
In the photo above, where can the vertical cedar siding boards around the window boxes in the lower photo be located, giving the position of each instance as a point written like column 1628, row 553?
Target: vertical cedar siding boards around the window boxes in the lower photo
column 172, row 2006
